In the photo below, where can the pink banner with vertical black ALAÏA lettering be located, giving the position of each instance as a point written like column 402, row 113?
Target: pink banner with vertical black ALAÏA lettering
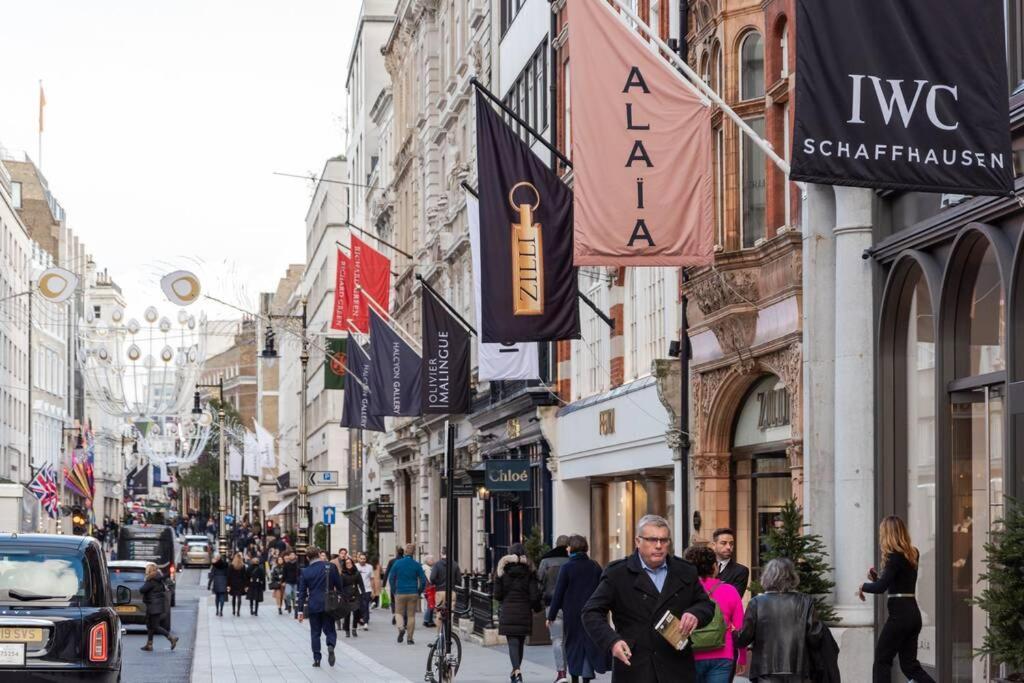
column 642, row 150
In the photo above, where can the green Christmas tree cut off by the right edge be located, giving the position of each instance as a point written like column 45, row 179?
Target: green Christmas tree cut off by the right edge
column 1003, row 599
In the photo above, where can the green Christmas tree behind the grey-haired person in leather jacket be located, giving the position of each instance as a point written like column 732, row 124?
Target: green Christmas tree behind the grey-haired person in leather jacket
column 807, row 552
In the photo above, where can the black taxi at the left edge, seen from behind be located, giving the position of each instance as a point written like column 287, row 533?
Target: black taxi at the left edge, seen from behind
column 59, row 615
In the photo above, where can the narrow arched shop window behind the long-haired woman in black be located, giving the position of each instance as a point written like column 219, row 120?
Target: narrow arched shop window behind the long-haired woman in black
column 921, row 457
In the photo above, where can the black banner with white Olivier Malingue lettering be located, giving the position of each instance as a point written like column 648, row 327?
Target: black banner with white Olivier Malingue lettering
column 446, row 360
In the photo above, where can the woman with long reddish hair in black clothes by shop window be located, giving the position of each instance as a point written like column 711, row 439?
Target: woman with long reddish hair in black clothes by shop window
column 903, row 627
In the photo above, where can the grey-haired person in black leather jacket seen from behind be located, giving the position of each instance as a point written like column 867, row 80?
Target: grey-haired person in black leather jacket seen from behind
column 782, row 626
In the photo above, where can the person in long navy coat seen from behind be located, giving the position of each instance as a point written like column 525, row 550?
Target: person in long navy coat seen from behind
column 578, row 579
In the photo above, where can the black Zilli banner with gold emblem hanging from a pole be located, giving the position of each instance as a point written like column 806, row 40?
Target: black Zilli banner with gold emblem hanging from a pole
column 529, row 285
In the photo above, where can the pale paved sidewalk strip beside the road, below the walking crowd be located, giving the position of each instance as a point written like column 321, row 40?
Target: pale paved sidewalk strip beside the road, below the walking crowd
column 274, row 648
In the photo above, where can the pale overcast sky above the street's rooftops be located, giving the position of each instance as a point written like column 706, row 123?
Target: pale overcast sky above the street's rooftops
column 165, row 121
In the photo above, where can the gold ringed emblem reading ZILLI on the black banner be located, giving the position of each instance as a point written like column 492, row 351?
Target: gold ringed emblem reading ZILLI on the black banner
column 528, row 258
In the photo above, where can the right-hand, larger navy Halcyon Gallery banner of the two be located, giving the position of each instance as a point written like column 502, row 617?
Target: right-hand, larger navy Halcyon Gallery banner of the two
column 395, row 372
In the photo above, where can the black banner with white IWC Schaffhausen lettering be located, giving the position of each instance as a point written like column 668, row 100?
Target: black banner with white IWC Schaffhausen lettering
column 903, row 95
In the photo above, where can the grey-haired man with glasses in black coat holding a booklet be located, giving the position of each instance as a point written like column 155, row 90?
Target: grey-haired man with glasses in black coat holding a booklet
column 638, row 591
